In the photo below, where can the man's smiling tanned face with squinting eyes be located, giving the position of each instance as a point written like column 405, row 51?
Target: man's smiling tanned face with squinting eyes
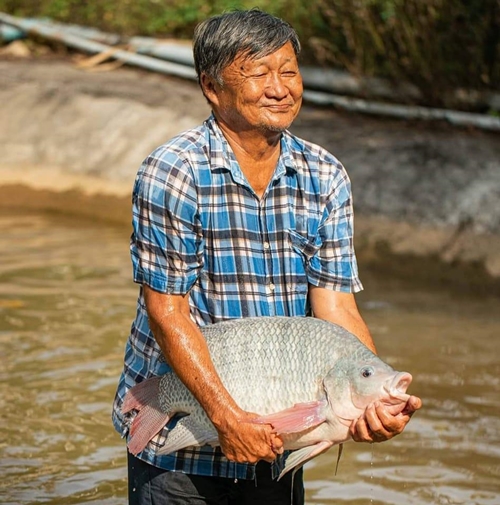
column 262, row 94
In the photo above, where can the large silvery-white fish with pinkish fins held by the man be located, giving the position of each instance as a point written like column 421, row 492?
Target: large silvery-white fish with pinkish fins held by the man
column 306, row 377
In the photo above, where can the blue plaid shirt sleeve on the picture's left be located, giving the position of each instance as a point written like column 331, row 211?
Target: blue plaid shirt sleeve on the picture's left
column 166, row 241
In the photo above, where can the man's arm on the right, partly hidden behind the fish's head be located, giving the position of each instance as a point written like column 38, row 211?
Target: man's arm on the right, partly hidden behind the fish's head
column 377, row 425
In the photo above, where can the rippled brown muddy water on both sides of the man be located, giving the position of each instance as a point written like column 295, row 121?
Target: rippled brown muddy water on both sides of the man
column 66, row 303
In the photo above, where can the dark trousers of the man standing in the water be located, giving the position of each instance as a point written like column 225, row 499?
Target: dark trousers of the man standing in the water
column 148, row 485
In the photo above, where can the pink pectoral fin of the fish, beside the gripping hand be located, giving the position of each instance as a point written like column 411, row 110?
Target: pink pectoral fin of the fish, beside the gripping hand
column 295, row 419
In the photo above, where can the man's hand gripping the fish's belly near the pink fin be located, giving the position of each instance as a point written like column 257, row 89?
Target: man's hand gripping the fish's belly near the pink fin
column 243, row 441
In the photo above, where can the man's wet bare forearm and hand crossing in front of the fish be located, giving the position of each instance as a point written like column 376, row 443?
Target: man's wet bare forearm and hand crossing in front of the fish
column 185, row 350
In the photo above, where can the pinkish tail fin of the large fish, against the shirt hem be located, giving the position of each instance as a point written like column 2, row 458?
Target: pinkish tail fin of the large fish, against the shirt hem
column 150, row 418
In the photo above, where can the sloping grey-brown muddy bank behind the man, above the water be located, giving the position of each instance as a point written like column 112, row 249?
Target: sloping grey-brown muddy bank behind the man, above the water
column 427, row 195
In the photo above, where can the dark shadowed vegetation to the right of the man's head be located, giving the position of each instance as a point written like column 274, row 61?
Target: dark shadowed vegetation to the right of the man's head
column 438, row 45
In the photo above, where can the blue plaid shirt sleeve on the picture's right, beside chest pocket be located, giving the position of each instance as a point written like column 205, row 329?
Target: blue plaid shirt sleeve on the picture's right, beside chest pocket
column 334, row 265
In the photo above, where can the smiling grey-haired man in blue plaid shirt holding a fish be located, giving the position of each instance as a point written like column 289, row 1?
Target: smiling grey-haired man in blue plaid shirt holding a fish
column 237, row 218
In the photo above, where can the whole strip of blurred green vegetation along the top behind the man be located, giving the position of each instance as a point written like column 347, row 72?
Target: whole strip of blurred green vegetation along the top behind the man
column 438, row 45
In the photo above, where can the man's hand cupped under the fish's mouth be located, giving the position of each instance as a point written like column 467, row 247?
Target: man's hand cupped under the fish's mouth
column 378, row 424
